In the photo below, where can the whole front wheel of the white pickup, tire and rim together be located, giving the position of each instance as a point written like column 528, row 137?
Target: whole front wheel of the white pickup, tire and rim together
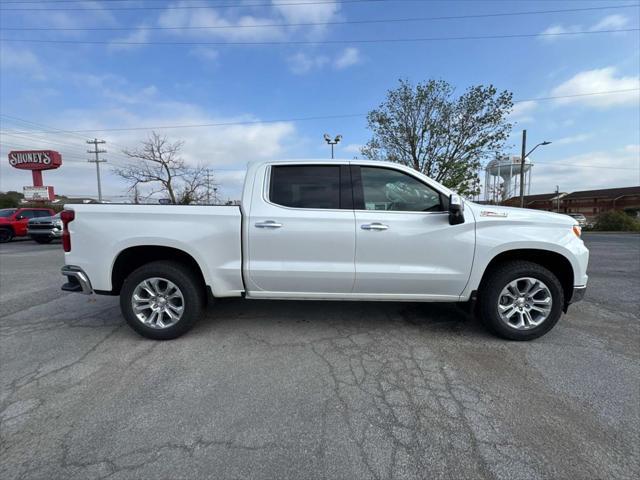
column 521, row 300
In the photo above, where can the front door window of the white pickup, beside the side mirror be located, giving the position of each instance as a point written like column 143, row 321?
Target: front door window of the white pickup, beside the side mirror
column 391, row 190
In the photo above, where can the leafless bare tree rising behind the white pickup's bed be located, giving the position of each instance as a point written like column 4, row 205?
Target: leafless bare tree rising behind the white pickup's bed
column 159, row 165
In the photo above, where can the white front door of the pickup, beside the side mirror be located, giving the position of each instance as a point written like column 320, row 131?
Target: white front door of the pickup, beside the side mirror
column 405, row 245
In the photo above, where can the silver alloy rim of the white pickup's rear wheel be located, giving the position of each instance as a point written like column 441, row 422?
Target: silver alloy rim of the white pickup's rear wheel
column 157, row 303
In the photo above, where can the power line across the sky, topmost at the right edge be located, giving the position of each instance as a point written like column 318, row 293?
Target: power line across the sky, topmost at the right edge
column 337, row 22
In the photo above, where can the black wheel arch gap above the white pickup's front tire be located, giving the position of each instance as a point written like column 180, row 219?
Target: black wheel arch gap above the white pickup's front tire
column 555, row 262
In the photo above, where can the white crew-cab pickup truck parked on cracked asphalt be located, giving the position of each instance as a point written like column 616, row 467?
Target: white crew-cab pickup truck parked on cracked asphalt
column 330, row 230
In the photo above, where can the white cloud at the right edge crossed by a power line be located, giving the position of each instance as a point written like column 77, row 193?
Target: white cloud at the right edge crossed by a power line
column 599, row 80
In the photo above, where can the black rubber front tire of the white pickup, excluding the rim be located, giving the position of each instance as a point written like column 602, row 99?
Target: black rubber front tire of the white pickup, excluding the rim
column 491, row 288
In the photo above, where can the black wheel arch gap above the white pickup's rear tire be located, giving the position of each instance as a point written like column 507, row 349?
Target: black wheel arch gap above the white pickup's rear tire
column 134, row 257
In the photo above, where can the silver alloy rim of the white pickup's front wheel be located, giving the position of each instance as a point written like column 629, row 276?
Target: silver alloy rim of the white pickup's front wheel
column 524, row 303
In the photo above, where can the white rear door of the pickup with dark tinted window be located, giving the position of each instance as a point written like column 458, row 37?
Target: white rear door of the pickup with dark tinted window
column 301, row 231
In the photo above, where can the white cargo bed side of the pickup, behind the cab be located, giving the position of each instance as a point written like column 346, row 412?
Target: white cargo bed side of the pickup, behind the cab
column 209, row 234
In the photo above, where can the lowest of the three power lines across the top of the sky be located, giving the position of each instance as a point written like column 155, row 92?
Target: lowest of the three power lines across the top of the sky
column 320, row 42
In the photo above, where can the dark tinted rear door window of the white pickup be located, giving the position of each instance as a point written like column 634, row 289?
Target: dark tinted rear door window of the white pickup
column 302, row 186
